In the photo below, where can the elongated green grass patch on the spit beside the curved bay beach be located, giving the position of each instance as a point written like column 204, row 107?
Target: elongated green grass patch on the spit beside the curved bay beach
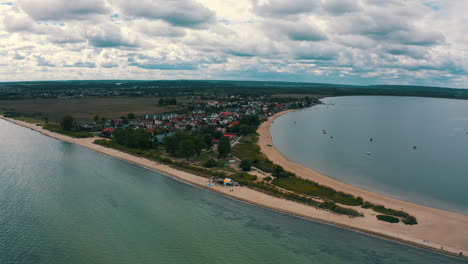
column 314, row 189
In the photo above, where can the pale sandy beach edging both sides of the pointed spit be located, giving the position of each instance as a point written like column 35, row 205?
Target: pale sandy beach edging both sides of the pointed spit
column 434, row 224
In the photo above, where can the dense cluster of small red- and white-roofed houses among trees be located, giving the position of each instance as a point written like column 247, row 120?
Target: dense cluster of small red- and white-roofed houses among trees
column 198, row 113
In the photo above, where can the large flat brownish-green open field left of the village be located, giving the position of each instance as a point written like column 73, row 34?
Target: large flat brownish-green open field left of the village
column 84, row 109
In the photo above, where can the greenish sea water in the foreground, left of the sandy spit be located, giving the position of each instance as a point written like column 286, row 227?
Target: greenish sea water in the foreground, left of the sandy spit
column 61, row 203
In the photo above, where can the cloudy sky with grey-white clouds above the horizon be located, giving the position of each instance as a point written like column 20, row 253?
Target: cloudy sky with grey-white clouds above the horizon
column 415, row 42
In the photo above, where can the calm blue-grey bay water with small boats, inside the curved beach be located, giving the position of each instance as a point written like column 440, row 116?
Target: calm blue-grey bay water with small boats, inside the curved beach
column 434, row 174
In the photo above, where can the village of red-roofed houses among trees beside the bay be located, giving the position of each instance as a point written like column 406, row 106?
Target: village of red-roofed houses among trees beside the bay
column 224, row 115
